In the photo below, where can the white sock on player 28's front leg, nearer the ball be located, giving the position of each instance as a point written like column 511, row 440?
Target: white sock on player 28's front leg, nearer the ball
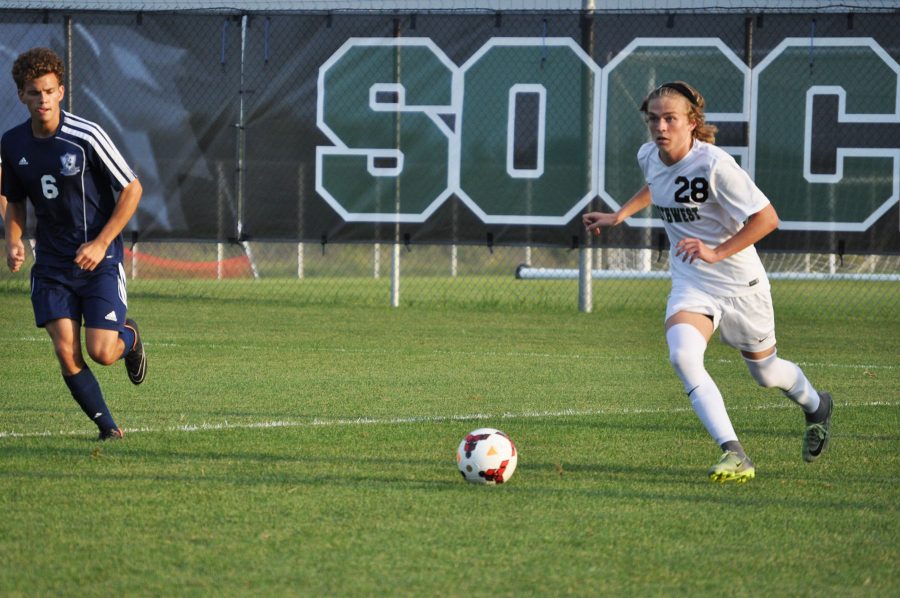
column 686, row 349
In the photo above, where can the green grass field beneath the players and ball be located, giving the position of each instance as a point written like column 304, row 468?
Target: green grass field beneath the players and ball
column 278, row 448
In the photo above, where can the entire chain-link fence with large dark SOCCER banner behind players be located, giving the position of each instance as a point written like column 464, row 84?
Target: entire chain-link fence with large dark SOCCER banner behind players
column 445, row 158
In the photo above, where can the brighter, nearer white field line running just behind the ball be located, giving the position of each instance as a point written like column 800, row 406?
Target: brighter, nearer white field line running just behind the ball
column 426, row 419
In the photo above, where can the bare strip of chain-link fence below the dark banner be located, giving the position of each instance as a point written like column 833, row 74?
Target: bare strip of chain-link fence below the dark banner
column 467, row 276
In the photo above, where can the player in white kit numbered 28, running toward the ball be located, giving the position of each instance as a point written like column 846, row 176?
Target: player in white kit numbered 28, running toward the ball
column 713, row 213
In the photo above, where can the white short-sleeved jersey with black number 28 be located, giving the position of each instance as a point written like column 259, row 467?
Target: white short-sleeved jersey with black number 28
column 706, row 196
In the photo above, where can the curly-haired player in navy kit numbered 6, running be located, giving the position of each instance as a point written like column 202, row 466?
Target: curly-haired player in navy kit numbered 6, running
column 83, row 195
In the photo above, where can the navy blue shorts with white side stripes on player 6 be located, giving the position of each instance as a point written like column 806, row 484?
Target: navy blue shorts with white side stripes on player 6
column 98, row 298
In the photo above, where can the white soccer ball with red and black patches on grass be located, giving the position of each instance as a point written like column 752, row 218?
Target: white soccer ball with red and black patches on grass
column 486, row 456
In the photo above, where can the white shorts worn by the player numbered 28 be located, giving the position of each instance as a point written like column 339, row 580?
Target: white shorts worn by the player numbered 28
column 746, row 323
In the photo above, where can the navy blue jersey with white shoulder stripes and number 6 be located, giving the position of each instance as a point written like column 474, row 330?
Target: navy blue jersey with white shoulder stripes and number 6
column 73, row 179
